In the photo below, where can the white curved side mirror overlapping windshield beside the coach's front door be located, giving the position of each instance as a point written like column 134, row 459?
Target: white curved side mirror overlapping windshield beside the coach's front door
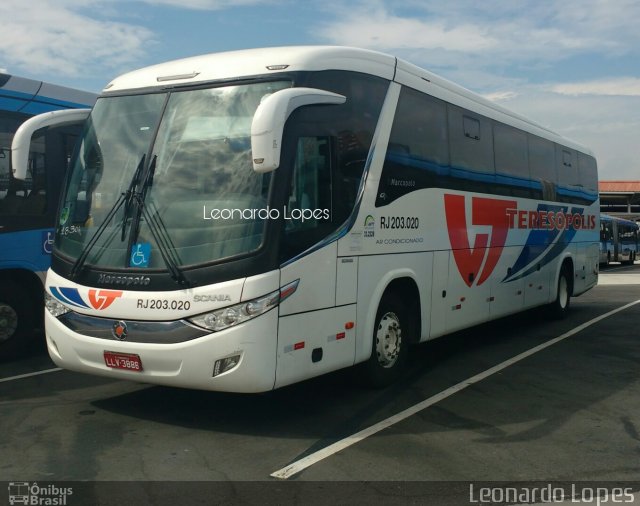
column 271, row 115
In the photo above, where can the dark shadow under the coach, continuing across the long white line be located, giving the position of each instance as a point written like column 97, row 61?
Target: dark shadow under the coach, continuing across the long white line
column 545, row 389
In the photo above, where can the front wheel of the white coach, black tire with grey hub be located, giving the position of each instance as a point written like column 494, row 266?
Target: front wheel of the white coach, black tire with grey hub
column 391, row 337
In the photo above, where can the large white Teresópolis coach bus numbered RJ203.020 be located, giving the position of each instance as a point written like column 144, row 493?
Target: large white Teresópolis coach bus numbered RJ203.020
column 246, row 220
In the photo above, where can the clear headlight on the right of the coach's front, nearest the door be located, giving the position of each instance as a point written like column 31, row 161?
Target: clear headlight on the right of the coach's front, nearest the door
column 224, row 318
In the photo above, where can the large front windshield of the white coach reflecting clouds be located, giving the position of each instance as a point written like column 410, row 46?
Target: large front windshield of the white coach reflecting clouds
column 185, row 156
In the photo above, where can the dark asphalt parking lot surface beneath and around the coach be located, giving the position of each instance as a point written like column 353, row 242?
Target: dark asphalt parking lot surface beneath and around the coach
column 521, row 399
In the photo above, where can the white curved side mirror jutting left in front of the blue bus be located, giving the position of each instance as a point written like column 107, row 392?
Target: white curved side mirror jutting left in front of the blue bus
column 22, row 138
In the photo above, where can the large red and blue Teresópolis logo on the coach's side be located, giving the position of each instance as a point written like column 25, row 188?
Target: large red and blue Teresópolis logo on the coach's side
column 549, row 224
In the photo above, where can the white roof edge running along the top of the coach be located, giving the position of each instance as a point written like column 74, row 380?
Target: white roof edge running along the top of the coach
column 230, row 65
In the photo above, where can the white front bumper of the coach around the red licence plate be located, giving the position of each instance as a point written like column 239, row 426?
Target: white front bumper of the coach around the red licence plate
column 186, row 364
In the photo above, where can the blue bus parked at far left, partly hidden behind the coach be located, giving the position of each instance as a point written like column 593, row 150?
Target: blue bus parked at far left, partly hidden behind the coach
column 28, row 207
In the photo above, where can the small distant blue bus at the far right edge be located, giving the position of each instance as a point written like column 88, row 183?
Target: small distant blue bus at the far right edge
column 618, row 240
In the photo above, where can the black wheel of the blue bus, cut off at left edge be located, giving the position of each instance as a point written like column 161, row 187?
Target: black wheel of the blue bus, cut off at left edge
column 18, row 321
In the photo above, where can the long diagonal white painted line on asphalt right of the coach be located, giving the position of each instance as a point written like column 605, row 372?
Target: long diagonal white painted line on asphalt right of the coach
column 298, row 466
